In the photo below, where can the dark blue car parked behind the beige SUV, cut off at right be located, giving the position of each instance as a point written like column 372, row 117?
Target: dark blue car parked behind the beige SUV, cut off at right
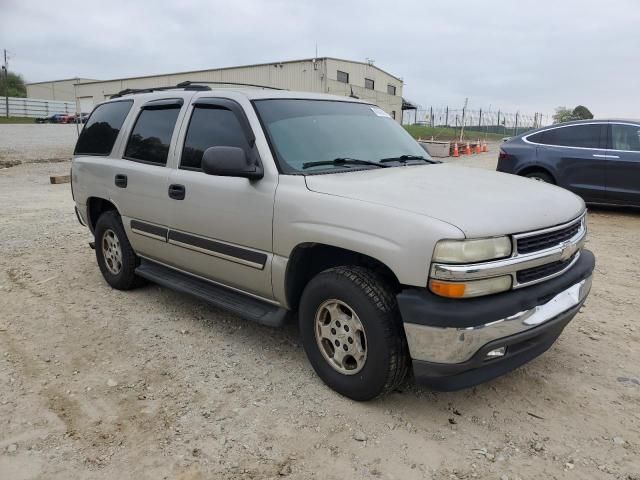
column 597, row 159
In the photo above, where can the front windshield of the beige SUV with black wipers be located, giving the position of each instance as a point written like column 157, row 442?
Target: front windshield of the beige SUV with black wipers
column 316, row 131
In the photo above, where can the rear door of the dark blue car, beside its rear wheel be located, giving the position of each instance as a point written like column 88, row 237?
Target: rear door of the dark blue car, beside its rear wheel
column 578, row 154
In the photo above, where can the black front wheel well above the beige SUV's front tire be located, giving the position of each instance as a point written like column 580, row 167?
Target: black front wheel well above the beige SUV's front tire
column 307, row 260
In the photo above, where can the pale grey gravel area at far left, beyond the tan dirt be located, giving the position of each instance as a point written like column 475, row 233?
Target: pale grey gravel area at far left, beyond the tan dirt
column 36, row 143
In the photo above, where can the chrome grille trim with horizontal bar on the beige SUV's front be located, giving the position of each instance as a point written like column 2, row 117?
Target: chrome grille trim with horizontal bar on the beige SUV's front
column 515, row 263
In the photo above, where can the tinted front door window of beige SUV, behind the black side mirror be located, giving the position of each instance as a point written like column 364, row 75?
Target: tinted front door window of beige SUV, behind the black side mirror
column 210, row 127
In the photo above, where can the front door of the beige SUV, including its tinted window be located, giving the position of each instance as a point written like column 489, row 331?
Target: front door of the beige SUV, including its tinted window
column 222, row 227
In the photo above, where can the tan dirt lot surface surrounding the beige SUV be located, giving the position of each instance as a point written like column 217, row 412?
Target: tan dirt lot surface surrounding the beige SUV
column 150, row 384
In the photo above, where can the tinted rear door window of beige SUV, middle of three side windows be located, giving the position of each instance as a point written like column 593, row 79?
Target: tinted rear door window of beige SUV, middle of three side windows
column 151, row 135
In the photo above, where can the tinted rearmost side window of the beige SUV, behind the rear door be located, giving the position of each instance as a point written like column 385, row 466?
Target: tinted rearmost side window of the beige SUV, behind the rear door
column 101, row 131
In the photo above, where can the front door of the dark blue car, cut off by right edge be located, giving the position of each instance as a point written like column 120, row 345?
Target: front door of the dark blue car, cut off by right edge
column 623, row 163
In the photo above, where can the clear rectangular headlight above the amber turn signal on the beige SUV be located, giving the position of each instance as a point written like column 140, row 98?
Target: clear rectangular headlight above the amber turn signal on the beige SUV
column 470, row 251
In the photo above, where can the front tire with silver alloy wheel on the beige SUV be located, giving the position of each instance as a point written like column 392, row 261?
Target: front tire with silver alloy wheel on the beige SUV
column 352, row 333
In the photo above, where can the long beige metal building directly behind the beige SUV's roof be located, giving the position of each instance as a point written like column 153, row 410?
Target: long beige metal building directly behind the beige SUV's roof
column 322, row 75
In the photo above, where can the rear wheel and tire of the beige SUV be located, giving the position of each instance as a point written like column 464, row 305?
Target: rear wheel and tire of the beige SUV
column 115, row 256
